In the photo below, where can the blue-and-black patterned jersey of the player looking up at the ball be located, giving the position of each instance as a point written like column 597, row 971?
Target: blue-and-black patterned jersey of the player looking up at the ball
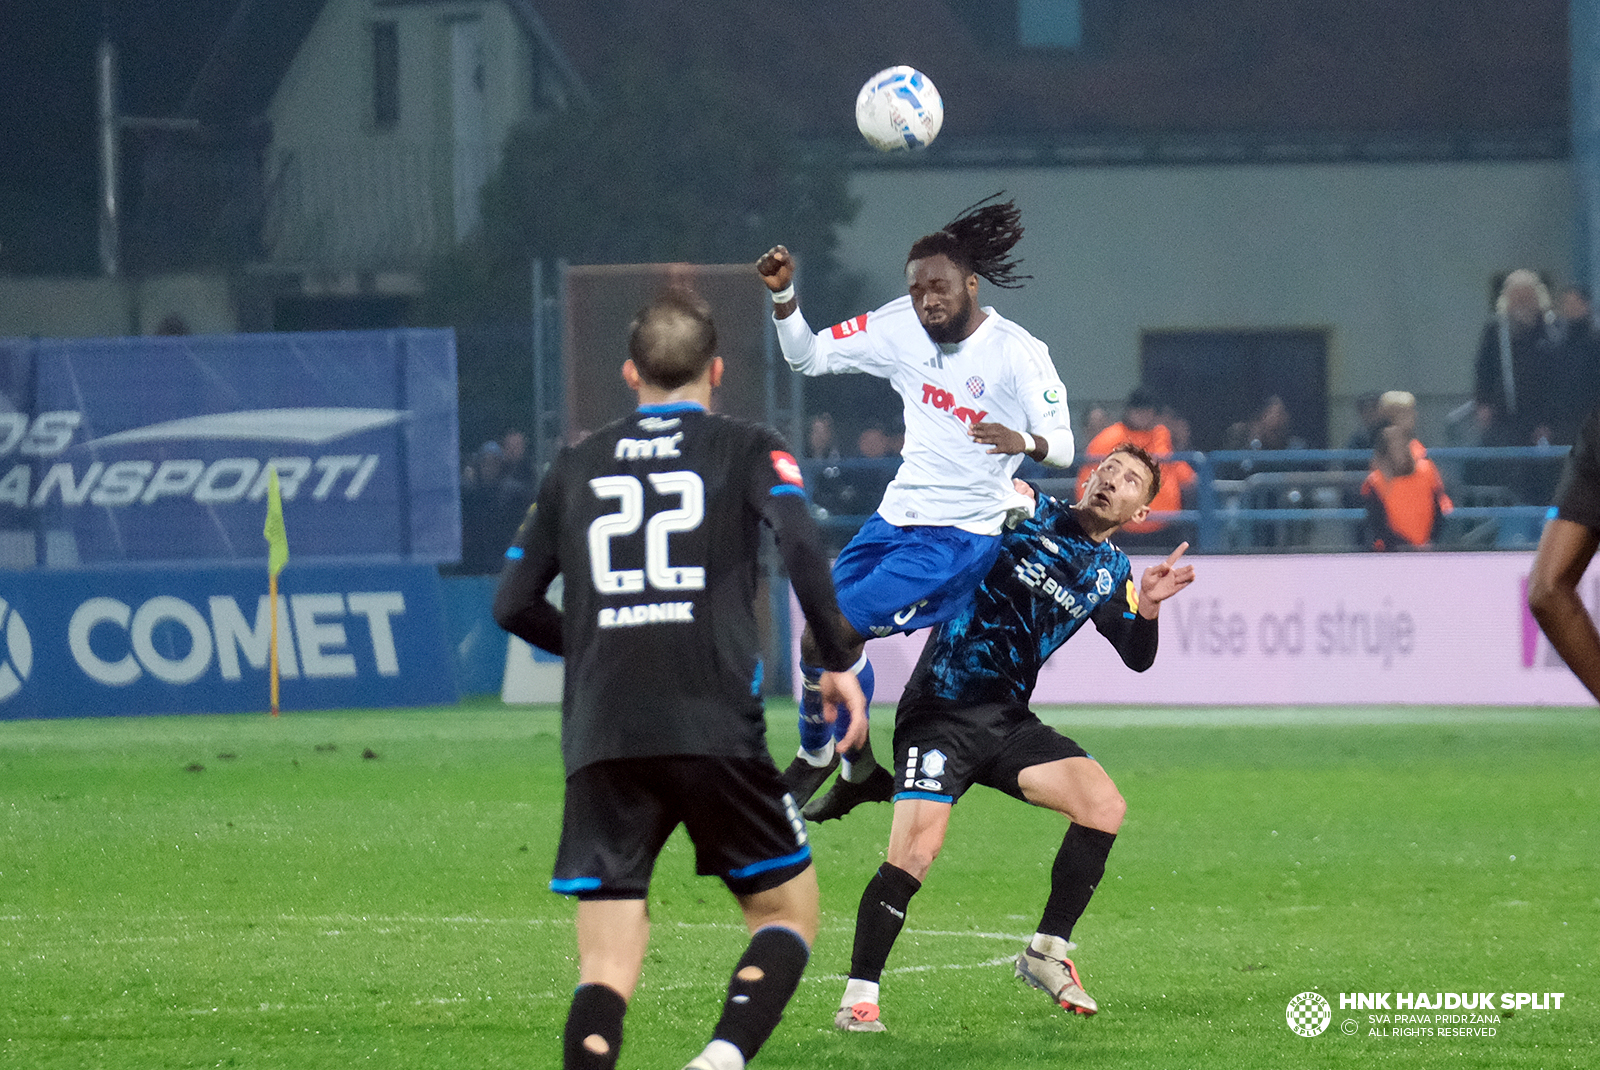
column 1049, row 580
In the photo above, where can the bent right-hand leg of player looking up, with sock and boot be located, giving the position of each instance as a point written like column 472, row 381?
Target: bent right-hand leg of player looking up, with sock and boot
column 1081, row 789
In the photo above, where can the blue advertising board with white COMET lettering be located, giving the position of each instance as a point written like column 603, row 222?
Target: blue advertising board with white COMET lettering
column 198, row 641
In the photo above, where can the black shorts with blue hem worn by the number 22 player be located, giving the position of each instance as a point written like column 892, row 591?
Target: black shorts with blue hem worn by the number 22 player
column 618, row 815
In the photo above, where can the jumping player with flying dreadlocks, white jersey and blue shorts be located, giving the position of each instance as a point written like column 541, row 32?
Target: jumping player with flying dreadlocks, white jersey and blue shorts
column 978, row 394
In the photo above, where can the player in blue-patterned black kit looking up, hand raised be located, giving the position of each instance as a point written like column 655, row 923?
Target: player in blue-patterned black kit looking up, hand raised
column 966, row 721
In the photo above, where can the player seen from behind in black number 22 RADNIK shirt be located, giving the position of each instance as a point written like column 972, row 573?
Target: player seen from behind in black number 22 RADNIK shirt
column 655, row 525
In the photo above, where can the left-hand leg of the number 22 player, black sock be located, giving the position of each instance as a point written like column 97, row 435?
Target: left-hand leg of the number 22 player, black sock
column 612, row 940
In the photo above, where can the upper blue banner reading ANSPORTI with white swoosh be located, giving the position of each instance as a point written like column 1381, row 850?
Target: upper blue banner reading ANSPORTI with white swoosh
column 158, row 449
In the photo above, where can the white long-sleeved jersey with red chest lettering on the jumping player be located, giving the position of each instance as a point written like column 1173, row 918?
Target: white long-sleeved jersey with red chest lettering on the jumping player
column 1001, row 373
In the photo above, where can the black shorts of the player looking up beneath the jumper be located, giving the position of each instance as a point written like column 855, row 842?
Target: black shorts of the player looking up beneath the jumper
column 940, row 753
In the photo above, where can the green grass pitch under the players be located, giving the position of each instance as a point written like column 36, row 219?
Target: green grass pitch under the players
column 236, row 892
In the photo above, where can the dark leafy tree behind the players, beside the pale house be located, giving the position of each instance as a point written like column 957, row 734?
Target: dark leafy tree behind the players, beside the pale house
column 686, row 167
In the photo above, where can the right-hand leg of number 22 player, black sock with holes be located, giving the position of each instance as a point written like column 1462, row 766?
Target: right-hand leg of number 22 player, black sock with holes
column 783, row 927
